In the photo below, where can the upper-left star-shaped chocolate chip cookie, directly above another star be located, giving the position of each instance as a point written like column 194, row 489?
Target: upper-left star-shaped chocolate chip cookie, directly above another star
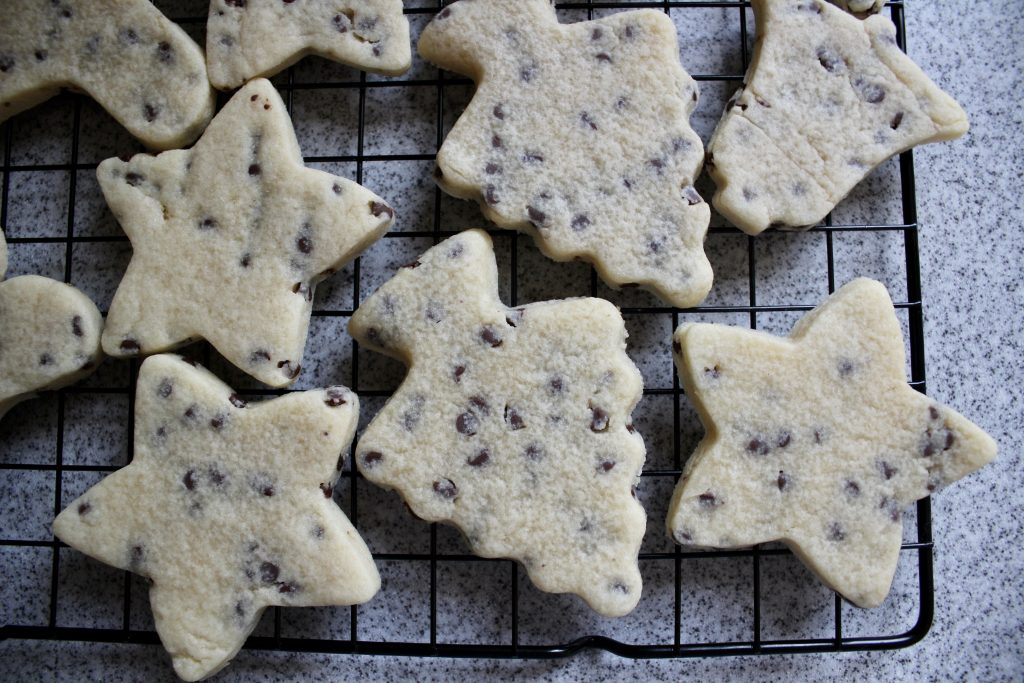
column 230, row 239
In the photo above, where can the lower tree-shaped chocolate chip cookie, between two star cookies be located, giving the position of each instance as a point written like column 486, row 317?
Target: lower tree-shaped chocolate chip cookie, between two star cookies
column 514, row 424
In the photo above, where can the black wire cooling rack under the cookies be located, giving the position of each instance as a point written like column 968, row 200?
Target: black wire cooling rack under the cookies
column 438, row 600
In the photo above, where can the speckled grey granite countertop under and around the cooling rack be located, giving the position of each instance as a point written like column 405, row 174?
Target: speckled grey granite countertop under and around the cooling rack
column 971, row 245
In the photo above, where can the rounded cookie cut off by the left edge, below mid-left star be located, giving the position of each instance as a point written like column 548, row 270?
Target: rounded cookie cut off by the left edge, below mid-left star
column 50, row 335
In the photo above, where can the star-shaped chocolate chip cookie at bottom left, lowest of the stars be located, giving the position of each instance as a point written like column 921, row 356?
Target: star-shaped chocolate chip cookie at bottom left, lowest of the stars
column 228, row 509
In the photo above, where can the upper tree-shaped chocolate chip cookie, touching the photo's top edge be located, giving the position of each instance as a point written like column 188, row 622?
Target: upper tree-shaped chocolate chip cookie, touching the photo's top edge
column 580, row 137
